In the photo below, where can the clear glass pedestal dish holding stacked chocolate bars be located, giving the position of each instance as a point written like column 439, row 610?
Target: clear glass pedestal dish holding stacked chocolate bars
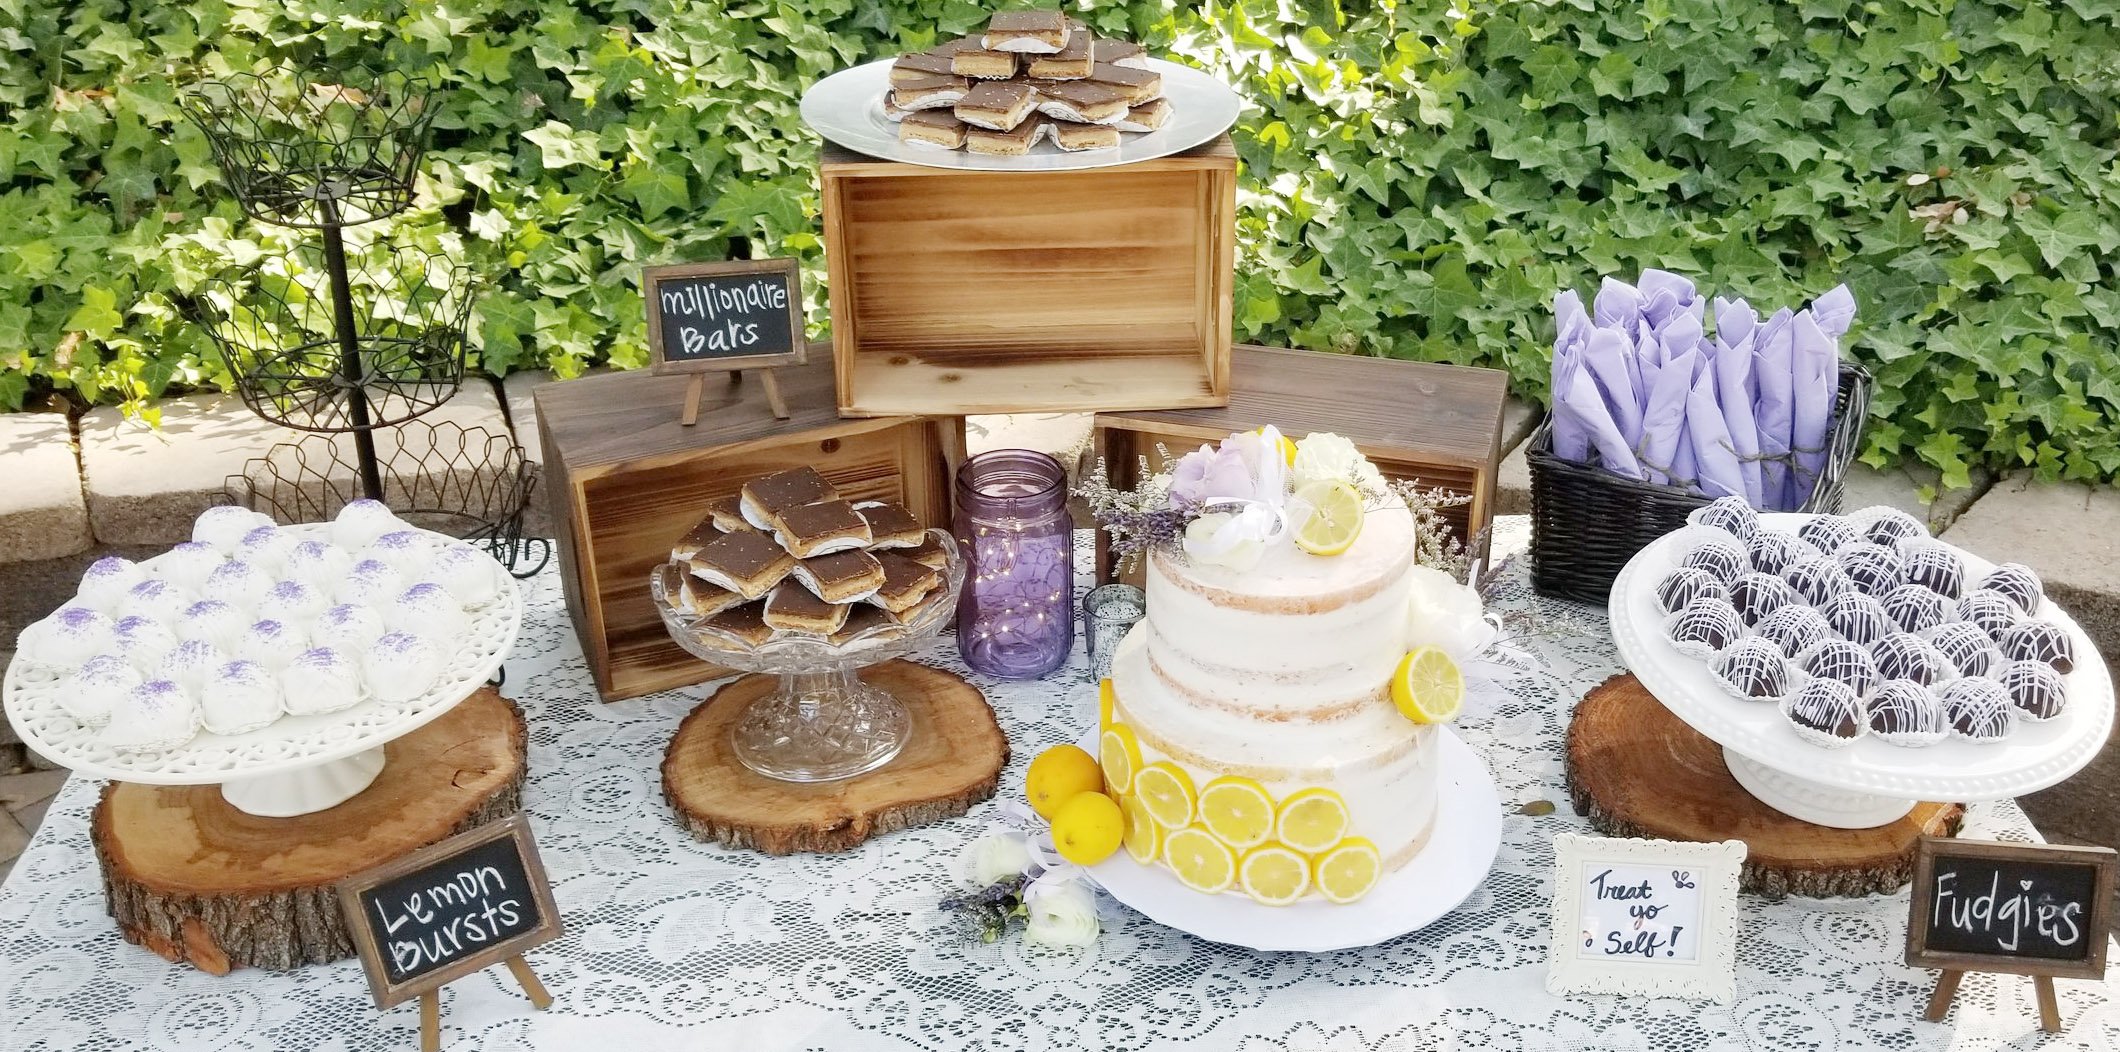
column 821, row 722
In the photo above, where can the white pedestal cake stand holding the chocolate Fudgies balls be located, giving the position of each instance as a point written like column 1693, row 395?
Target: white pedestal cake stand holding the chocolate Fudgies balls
column 1869, row 782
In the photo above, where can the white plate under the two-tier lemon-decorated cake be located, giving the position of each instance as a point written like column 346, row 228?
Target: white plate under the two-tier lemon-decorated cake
column 1453, row 864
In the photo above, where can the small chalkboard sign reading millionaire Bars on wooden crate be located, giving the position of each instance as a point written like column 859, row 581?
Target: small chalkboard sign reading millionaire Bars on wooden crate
column 739, row 315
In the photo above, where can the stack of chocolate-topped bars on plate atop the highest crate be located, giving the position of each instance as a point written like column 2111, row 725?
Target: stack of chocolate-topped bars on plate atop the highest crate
column 1031, row 75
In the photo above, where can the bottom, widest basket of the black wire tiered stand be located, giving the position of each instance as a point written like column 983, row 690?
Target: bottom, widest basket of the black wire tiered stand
column 438, row 476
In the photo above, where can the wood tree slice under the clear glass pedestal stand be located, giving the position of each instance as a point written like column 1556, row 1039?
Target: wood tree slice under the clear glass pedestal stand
column 953, row 762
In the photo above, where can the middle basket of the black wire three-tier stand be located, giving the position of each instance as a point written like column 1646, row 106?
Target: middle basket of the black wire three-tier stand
column 279, row 323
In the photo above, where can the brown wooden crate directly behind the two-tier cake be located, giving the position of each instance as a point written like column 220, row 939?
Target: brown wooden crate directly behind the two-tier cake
column 1415, row 421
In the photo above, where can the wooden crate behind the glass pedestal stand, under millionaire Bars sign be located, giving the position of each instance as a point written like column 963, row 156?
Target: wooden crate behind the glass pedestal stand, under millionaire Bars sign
column 624, row 480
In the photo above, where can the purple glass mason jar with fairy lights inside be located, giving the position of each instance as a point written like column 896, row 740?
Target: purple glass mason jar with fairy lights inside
column 1017, row 616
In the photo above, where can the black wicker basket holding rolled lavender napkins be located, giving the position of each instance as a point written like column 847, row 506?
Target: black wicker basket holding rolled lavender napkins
column 1589, row 523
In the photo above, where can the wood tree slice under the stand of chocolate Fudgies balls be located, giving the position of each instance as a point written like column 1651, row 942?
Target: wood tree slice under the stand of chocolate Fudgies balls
column 1640, row 771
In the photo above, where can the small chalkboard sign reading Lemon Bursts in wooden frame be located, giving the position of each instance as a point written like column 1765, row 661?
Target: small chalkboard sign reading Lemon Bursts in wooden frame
column 450, row 909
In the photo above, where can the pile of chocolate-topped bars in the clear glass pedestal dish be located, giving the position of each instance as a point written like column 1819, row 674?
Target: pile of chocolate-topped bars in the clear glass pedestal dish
column 790, row 557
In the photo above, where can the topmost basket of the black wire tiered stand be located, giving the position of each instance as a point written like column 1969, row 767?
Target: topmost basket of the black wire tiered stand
column 304, row 152
